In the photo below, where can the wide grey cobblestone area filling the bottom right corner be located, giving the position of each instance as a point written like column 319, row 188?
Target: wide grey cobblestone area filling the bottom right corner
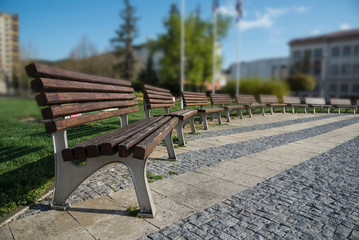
column 318, row 199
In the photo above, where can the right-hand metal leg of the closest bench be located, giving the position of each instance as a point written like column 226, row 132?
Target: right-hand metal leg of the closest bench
column 138, row 171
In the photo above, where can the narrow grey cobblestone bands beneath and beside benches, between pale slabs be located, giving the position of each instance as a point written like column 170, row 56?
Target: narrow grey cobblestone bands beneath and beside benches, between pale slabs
column 117, row 177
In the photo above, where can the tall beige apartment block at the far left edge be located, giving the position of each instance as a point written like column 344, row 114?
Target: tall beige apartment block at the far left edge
column 9, row 51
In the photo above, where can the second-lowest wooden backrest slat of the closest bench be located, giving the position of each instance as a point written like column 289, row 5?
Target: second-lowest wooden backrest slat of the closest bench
column 65, row 110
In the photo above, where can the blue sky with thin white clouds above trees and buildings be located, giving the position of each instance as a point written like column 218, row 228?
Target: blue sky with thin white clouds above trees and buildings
column 53, row 28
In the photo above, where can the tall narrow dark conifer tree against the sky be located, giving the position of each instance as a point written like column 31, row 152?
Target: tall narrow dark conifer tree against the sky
column 126, row 33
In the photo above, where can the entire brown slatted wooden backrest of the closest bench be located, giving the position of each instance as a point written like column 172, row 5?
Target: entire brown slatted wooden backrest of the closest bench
column 67, row 93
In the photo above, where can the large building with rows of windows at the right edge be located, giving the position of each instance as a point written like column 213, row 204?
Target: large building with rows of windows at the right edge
column 334, row 61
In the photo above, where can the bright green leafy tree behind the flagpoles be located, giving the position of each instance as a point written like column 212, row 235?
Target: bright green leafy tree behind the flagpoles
column 199, row 49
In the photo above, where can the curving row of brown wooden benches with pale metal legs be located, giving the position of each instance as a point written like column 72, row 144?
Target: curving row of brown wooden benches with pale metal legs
column 70, row 99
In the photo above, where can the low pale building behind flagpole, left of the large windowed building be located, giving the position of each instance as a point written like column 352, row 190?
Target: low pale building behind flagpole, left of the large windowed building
column 266, row 69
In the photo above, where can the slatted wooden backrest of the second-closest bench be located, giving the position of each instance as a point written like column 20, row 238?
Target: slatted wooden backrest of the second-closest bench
column 155, row 97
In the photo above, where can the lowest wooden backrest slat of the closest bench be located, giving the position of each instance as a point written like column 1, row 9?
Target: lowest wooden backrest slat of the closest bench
column 73, row 122
